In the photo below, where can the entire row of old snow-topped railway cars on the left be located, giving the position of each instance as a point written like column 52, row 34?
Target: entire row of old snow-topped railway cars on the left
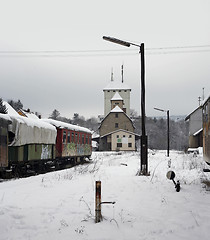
column 30, row 146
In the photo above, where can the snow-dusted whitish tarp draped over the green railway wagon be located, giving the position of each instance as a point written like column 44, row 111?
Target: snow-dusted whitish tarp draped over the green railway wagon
column 30, row 131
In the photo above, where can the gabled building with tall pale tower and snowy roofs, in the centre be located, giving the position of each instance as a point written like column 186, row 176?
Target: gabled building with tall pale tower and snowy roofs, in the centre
column 116, row 131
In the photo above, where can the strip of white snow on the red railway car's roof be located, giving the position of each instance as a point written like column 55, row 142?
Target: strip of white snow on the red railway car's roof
column 69, row 126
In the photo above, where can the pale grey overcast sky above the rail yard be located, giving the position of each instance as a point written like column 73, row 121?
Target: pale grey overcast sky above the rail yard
column 57, row 58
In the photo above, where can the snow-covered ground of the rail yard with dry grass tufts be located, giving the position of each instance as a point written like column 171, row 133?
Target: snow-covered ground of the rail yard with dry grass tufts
column 60, row 205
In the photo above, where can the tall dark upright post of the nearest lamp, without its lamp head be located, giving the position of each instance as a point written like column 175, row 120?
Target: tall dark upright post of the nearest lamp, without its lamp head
column 144, row 152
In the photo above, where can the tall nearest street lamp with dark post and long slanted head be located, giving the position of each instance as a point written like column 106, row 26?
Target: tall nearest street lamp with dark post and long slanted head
column 144, row 147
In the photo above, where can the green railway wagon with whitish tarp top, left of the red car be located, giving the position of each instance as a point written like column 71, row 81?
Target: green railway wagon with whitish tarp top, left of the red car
column 30, row 145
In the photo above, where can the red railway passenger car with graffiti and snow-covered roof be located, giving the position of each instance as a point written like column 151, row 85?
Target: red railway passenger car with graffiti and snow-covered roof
column 73, row 143
